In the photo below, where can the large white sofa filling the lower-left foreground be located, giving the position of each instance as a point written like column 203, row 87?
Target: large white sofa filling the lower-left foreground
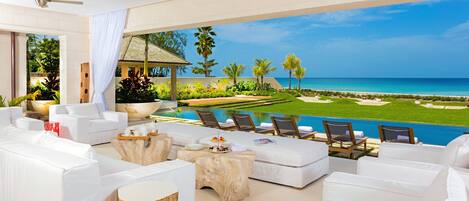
column 37, row 166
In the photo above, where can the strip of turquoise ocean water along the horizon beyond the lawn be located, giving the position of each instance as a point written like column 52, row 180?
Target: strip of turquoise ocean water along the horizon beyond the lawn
column 422, row 86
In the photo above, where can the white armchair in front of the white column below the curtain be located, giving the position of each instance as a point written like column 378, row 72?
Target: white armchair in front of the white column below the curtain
column 88, row 123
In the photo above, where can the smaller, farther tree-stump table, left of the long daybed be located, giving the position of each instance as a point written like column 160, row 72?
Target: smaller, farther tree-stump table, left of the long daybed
column 143, row 150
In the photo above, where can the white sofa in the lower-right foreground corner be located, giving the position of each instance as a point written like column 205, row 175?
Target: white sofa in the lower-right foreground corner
column 390, row 180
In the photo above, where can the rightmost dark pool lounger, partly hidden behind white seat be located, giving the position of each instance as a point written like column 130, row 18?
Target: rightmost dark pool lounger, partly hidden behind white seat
column 397, row 134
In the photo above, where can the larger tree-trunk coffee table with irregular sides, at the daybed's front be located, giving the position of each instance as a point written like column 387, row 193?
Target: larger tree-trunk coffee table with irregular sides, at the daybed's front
column 226, row 173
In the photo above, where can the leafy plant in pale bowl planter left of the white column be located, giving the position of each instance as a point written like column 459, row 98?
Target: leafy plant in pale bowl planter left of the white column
column 47, row 94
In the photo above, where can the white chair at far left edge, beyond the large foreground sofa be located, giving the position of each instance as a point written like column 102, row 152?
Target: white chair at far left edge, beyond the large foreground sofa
column 13, row 116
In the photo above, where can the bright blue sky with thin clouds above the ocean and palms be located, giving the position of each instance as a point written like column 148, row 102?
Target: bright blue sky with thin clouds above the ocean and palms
column 428, row 39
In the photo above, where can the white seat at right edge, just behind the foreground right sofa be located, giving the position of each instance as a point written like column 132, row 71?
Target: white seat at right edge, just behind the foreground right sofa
column 456, row 153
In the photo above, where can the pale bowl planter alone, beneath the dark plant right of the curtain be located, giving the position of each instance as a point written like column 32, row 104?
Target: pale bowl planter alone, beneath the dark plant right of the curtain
column 138, row 111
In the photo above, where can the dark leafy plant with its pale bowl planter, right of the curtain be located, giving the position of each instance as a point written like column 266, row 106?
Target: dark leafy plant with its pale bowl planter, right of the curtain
column 135, row 96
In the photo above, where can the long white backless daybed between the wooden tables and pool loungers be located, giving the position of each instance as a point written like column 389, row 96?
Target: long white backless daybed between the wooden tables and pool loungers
column 289, row 162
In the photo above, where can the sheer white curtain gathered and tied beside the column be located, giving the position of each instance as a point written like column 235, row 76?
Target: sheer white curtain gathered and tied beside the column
column 107, row 31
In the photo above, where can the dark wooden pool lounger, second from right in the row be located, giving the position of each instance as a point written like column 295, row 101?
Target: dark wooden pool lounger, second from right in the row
column 343, row 134
